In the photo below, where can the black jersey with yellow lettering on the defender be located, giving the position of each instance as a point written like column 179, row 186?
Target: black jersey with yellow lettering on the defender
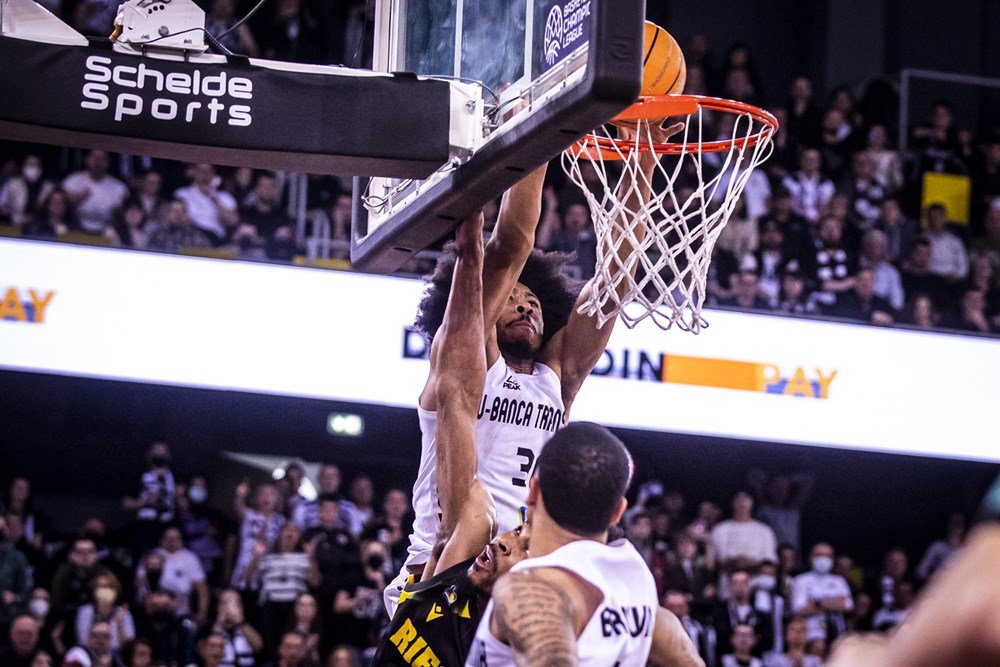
column 434, row 623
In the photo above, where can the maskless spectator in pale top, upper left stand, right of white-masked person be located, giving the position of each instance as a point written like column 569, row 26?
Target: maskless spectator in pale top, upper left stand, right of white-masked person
column 94, row 195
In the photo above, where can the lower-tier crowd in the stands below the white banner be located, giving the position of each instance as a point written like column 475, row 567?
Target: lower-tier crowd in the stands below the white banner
column 280, row 576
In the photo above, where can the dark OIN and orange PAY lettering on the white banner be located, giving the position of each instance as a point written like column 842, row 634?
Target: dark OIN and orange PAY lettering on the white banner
column 764, row 377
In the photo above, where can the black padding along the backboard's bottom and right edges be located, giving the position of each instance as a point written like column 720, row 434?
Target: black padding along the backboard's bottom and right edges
column 612, row 82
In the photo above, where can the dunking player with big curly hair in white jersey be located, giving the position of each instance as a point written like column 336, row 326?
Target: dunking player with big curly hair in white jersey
column 539, row 351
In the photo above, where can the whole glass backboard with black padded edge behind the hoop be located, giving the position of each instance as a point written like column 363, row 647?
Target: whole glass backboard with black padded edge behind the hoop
column 550, row 71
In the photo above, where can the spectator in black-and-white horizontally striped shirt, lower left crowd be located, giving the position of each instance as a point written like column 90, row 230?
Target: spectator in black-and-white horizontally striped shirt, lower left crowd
column 283, row 575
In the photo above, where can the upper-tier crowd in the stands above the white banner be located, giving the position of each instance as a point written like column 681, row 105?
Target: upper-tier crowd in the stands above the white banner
column 833, row 225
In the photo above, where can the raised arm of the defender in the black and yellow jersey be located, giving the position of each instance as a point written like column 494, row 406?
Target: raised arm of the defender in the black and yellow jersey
column 467, row 512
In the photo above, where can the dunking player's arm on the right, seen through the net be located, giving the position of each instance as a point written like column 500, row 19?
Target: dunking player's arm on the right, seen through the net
column 575, row 350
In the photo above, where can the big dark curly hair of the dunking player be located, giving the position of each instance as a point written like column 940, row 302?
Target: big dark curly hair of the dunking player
column 542, row 273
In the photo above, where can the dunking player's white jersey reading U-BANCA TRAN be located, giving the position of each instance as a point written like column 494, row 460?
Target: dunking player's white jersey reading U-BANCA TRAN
column 517, row 415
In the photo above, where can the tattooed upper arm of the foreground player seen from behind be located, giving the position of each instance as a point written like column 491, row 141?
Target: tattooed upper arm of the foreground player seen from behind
column 534, row 617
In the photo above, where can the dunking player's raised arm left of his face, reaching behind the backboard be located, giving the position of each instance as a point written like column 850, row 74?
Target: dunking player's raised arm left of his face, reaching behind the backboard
column 508, row 250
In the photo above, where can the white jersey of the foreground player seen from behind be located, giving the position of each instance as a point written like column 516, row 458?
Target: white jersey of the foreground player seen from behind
column 619, row 634
